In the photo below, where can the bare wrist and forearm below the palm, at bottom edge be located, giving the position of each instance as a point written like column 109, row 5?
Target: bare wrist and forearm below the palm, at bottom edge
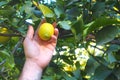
column 31, row 71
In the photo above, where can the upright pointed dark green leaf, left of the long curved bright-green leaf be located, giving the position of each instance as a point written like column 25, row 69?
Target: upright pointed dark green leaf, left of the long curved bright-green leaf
column 77, row 28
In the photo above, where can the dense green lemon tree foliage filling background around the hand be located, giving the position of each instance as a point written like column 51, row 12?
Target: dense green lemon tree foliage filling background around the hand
column 88, row 46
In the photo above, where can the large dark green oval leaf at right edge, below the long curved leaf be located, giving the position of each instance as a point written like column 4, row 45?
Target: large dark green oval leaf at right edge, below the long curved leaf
column 106, row 34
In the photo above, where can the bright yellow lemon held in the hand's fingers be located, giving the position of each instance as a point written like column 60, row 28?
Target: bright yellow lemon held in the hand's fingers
column 45, row 31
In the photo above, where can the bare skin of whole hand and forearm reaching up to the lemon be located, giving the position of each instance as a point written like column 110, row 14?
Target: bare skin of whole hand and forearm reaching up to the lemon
column 37, row 52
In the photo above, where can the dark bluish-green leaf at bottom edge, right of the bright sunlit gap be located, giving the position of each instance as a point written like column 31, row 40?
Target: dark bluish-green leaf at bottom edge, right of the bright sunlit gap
column 101, row 73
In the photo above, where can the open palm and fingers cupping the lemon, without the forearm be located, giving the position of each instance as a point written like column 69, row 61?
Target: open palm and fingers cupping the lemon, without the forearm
column 38, row 51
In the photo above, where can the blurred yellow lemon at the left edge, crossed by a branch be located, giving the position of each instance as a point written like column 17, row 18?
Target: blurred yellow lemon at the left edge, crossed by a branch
column 4, row 39
